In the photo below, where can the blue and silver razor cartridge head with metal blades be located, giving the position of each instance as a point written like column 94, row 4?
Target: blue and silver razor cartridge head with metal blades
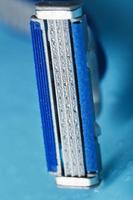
column 59, row 35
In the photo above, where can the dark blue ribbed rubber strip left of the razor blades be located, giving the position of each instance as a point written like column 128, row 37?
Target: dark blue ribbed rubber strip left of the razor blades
column 44, row 98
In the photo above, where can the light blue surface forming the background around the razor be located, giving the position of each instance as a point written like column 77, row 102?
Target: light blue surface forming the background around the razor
column 23, row 174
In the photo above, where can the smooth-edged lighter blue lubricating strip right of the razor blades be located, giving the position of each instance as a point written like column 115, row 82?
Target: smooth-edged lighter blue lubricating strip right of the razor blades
column 85, row 96
